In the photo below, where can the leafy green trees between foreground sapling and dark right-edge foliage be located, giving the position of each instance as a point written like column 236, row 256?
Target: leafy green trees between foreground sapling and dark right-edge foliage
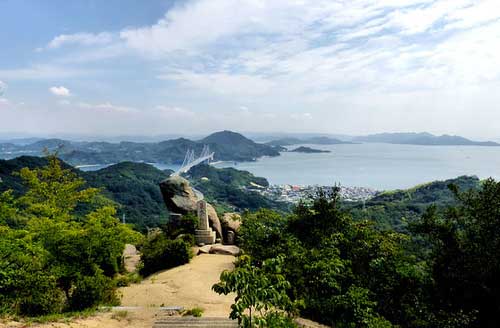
column 348, row 273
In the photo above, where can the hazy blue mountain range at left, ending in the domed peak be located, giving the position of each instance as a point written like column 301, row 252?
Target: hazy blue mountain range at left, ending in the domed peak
column 226, row 145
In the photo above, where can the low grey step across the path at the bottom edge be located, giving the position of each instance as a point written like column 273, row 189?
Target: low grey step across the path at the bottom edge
column 203, row 322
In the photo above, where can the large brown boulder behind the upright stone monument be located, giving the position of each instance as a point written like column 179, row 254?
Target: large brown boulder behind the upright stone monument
column 180, row 198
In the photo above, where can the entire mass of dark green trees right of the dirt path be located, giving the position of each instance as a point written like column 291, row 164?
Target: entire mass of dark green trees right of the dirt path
column 347, row 273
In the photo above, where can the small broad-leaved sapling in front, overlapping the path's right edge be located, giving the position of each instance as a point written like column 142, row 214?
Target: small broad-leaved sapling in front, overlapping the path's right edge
column 260, row 291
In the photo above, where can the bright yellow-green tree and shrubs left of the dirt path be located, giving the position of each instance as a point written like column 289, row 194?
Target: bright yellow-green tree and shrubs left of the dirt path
column 52, row 259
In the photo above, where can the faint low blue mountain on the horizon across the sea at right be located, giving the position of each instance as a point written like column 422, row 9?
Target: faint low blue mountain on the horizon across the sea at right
column 422, row 139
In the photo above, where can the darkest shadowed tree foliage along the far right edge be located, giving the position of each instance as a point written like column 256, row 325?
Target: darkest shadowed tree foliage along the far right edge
column 465, row 260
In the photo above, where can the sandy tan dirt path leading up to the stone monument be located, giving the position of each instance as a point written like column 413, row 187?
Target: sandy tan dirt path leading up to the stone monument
column 187, row 286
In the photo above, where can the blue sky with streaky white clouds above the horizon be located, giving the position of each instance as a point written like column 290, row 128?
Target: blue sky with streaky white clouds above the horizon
column 134, row 67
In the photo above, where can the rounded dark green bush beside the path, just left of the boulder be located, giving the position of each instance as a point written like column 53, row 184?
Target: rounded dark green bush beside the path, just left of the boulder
column 160, row 253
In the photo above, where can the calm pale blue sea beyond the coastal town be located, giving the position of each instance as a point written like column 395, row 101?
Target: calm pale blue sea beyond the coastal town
column 378, row 166
